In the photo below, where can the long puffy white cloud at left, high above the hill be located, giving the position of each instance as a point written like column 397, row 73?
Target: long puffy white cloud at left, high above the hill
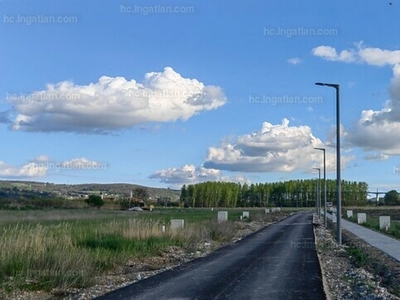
column 114, row 103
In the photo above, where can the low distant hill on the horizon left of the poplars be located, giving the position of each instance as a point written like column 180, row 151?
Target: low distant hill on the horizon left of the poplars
column 46, row 189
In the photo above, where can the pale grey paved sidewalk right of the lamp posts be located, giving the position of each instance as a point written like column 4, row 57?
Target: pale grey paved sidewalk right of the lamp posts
column 378, row 240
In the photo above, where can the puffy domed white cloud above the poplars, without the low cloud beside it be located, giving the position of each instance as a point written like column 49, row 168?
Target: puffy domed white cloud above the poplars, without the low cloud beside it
column 273, row 148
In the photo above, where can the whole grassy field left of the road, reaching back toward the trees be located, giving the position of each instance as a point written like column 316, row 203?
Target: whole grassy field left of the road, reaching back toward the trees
column 46, row 249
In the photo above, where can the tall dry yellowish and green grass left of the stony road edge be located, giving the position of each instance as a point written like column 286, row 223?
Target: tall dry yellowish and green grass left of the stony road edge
column 63, row 254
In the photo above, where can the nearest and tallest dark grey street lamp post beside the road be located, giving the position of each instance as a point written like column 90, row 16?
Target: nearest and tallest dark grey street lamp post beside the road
column 338, row 175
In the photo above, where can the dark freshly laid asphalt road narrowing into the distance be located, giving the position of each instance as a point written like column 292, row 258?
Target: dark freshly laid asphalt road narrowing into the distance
column 277, row 262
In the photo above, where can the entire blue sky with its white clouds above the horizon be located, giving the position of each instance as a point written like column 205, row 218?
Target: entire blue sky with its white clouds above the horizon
column 162, row 93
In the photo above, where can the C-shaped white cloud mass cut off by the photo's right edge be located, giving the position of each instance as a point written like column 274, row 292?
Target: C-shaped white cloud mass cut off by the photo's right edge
column 375, row 130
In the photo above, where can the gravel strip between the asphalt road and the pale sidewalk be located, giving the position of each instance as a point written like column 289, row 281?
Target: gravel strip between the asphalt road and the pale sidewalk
column 367, row 274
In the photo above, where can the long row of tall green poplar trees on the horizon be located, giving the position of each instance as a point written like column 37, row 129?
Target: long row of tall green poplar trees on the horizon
column 293, row 193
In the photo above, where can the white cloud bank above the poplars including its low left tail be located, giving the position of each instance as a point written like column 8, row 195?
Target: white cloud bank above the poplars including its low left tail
column 273, row 148
